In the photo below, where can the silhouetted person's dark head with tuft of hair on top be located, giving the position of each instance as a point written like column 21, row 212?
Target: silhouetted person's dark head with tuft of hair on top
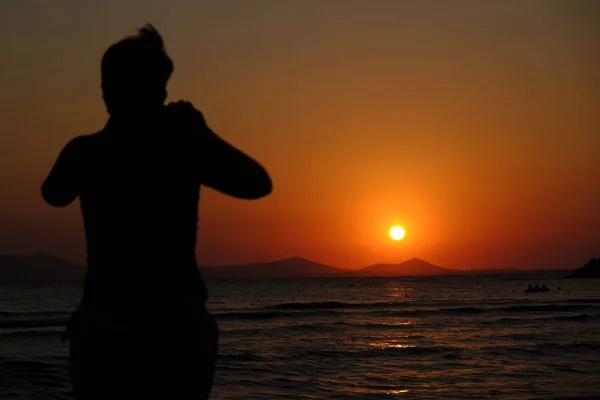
column 135, row 72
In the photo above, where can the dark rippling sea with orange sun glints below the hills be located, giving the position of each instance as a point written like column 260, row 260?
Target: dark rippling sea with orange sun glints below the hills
column 464, row 337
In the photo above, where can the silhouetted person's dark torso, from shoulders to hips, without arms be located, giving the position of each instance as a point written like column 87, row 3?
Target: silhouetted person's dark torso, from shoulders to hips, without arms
column 139, row 198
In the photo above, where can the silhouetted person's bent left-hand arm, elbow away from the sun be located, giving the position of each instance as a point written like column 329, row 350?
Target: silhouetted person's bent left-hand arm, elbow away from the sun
column 61, row 186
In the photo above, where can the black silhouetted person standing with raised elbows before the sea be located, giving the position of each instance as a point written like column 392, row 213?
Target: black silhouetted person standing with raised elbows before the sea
column 142, row 329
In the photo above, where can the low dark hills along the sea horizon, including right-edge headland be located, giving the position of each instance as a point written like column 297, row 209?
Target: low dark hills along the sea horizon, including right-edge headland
column 41, row 267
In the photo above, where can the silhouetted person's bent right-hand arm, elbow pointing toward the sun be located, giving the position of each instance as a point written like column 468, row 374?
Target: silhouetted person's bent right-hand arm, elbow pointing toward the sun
column 222, row 166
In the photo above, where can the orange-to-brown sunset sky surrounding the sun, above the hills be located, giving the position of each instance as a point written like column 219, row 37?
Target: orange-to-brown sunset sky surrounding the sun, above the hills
column 473, row 124
